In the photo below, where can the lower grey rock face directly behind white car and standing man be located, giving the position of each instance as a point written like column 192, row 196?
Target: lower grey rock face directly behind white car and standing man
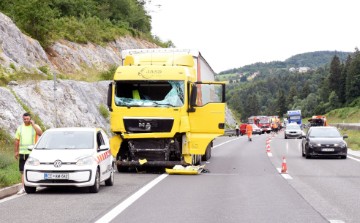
column 73, row 103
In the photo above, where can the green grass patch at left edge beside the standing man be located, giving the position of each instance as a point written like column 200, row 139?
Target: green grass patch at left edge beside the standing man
column 9, row 170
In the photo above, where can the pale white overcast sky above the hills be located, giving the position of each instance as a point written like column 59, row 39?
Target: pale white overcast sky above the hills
column 233, row 33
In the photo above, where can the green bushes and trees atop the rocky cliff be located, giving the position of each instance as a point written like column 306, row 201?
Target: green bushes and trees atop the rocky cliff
column 80, row 21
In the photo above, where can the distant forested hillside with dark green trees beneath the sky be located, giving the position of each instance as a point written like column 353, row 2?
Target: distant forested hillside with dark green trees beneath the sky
column 275, row 89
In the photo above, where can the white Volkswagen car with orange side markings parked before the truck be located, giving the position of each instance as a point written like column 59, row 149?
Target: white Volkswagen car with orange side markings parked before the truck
column 70, row 157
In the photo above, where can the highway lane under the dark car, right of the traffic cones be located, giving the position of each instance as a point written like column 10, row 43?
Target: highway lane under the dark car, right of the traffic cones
column 330, row 185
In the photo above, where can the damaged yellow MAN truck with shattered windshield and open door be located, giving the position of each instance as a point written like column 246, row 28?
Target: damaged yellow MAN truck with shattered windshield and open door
column 165, row 108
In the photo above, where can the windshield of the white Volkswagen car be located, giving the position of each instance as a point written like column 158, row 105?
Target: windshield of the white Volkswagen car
column 66, row 140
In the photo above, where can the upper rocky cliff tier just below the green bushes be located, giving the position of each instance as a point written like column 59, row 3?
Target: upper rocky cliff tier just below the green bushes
column 22, row 52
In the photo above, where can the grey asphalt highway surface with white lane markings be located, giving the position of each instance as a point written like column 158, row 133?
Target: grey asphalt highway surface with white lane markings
column 243, row 185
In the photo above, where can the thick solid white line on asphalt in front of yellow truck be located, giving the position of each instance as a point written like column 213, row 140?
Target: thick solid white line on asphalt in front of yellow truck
column 126, row 203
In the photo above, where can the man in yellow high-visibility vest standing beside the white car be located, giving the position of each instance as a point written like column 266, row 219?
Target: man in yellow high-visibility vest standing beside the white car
column 26, row 134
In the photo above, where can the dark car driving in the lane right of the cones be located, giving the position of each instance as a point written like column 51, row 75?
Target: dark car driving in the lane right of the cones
column 324, row 141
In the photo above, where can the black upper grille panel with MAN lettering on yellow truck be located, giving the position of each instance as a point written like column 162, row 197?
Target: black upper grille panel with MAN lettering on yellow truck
column 145, row 125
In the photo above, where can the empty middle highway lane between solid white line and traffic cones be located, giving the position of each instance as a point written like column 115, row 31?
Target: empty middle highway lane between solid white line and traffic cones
column 242, row 186
